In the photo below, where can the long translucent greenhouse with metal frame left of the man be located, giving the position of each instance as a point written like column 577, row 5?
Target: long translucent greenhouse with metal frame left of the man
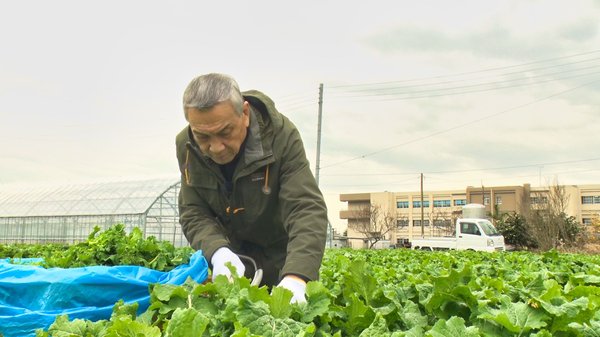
column 69, row 213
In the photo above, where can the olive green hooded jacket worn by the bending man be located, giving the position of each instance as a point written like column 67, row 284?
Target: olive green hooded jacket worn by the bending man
column 275, row 213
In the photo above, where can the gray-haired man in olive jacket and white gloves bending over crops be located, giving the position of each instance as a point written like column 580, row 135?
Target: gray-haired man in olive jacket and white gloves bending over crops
column 246, row 186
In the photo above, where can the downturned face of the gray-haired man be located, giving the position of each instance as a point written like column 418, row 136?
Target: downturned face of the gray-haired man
column 220, row 131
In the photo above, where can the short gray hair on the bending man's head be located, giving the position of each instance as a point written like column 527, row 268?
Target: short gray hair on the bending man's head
column 206, row 91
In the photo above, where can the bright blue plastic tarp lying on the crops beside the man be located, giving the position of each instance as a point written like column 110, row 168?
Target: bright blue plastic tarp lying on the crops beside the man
column 31, row 296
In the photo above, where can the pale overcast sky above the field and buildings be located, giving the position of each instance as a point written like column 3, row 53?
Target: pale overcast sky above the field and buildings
column 465, row 92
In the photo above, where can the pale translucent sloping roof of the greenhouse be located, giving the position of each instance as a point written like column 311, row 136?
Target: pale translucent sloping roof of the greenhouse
column 97, row 198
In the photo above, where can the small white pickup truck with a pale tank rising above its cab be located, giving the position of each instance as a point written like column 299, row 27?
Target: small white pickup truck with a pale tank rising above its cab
column 472, row 232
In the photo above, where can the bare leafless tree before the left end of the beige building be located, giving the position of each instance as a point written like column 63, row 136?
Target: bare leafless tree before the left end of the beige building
column 374, row 223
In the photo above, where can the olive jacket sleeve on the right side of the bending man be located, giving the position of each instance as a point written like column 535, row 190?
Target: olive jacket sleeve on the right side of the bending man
column 304, row 211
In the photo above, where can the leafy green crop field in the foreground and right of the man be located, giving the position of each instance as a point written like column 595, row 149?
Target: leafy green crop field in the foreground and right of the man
column 395, row 292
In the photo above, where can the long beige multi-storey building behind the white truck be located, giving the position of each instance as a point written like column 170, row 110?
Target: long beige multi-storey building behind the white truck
column 433, row 213
